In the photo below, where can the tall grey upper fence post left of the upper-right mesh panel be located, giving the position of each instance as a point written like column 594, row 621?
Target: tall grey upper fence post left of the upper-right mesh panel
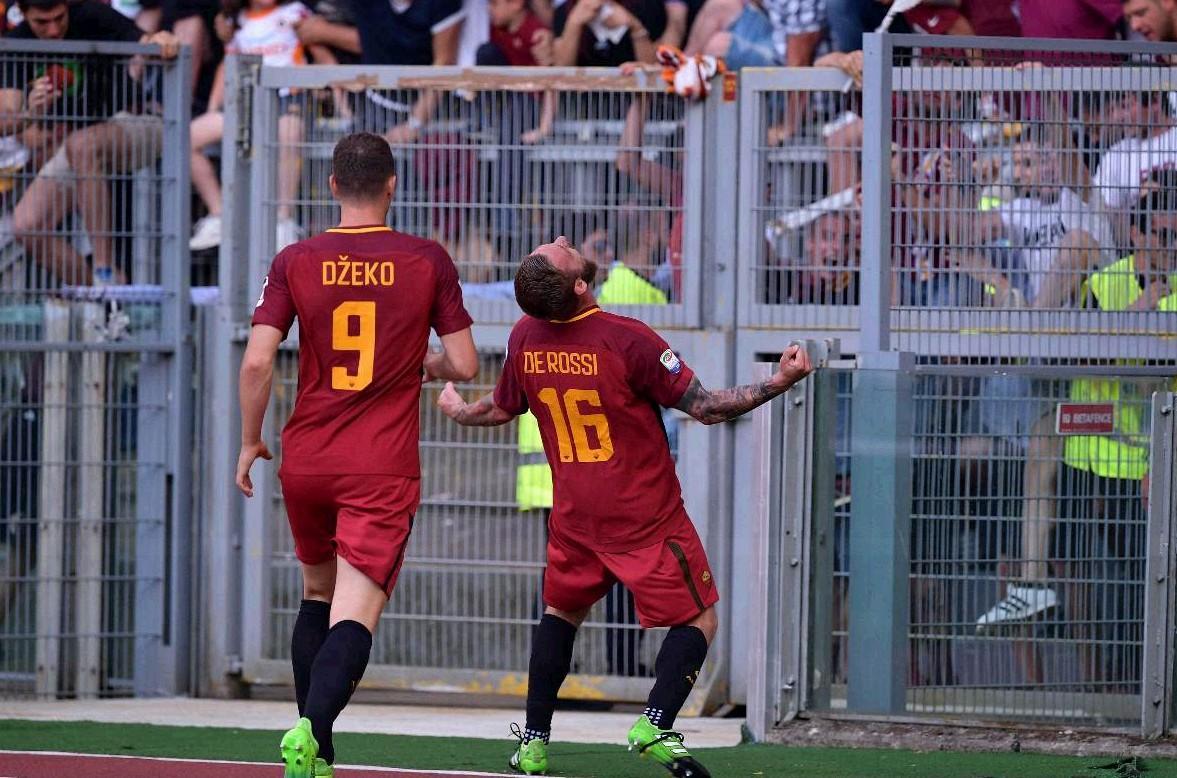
column 875, row 310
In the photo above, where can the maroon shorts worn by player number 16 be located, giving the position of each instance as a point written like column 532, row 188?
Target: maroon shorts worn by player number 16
column 671, row 580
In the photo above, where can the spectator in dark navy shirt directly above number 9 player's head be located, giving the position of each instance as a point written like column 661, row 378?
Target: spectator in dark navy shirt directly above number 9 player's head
column 405, row 32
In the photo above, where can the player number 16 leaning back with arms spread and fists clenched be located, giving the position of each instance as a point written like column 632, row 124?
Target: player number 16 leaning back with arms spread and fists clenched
column 595, row 382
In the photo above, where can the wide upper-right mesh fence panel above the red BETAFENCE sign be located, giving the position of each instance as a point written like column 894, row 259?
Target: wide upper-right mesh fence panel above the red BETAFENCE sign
column 1036, row 188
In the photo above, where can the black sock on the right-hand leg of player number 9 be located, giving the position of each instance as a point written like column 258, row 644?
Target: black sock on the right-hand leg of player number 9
column 337, row 670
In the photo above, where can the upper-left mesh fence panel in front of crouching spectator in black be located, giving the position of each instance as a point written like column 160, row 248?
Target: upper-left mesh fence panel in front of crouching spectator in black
column 82, row 185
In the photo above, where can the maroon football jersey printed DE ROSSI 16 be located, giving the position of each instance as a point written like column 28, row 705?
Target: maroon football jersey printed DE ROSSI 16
column 596, row 384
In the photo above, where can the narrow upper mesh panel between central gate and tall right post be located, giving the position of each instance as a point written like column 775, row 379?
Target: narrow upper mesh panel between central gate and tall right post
column 801, row 148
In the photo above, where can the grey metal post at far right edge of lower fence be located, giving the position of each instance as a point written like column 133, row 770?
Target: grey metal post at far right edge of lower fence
column 1161, row 573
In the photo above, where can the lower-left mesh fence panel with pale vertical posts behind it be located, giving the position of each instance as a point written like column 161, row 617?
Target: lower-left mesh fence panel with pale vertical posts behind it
column 72, row 467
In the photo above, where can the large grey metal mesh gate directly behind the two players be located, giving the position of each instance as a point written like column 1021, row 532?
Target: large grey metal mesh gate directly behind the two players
column 620, row 169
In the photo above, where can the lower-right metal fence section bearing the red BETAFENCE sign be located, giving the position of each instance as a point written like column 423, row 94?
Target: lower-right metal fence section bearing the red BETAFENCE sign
column 970, row 503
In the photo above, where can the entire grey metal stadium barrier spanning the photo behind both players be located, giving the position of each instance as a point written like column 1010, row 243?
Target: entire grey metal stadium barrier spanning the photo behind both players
column 929, row 329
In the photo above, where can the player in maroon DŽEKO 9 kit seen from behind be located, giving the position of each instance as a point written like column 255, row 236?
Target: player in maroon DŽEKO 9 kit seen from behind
column 365, row 298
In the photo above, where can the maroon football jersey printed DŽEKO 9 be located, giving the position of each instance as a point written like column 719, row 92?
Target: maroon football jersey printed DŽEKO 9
column 365, row 300
